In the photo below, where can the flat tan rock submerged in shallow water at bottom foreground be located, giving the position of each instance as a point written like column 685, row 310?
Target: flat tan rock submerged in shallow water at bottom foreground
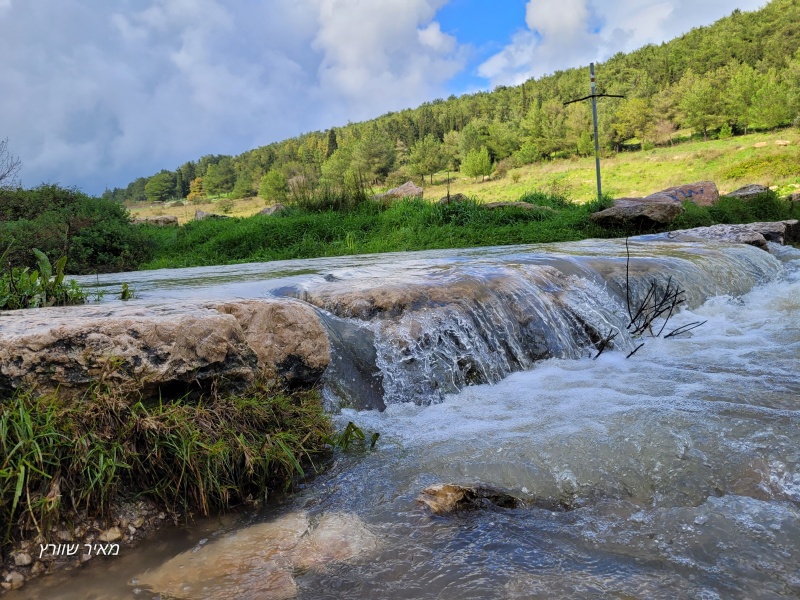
column 258, row 561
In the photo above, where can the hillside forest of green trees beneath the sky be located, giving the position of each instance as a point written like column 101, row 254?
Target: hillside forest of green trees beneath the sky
column 741, row 73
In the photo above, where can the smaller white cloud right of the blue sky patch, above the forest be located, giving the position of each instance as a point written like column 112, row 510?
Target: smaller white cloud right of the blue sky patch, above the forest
column 566, row 33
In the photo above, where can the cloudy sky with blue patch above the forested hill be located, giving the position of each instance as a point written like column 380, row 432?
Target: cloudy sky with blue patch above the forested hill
column 94, row 93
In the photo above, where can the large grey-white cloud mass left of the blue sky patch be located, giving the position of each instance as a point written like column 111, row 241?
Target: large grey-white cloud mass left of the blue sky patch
column 112, row 91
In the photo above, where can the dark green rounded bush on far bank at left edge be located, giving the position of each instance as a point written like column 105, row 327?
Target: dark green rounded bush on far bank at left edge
column 95, row 235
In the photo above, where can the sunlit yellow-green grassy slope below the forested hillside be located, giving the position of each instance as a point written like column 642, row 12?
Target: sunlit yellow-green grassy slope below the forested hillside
column 730, row 163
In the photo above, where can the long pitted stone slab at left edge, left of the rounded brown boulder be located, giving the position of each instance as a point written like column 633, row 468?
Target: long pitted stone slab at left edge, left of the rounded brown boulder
column 134, row 348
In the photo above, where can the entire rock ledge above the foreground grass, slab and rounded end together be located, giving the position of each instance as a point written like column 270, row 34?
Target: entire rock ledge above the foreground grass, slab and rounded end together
column 163, row 350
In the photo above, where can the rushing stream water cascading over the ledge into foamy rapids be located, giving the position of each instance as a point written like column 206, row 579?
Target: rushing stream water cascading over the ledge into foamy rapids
column 672, row 474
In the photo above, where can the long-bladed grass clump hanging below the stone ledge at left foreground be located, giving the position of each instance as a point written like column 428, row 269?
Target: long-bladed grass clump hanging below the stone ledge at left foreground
column 59, row 457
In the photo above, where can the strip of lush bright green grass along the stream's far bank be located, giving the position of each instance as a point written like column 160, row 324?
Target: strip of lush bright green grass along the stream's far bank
column 416, row 225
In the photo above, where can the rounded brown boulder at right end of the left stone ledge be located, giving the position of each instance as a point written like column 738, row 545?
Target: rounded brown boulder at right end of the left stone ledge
column 287, row 336
